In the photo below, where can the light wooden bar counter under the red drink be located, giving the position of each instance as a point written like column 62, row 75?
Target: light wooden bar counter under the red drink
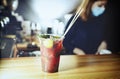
column 71, row 67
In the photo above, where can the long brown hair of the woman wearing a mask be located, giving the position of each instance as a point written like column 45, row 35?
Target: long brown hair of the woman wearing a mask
column 87, row 11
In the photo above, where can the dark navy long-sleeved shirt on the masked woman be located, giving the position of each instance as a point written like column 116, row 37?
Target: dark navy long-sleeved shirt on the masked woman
column 86, row 35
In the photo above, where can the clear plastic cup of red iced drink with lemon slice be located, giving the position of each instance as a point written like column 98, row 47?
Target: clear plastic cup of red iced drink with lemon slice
column 50, row 47
